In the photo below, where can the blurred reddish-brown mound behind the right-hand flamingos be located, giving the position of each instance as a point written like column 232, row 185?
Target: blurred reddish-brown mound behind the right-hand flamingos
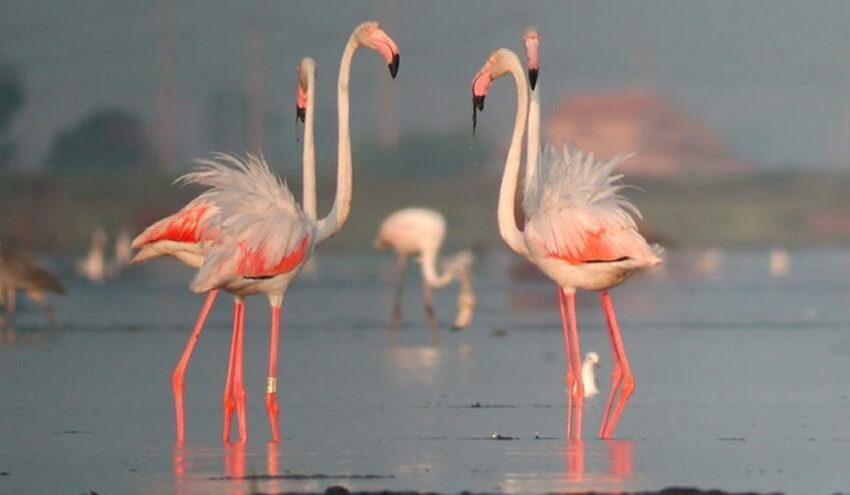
column 667, row 141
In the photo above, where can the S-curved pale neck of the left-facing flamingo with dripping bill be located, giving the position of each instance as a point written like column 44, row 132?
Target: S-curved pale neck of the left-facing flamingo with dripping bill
column 507, row 192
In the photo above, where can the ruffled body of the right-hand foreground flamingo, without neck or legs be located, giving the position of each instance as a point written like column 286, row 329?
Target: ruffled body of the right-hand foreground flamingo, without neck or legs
column 579, row 230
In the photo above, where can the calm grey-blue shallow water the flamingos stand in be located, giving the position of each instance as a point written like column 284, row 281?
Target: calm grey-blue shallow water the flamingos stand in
column 742, row 385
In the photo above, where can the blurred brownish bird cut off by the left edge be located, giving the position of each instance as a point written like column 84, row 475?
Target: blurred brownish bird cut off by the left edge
column 18, row 272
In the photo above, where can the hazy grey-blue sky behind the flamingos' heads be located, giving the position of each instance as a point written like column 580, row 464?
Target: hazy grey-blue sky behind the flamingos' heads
column 771, row 77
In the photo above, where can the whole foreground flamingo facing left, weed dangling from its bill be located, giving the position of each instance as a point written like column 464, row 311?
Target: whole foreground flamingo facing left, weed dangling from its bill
column 579, row 231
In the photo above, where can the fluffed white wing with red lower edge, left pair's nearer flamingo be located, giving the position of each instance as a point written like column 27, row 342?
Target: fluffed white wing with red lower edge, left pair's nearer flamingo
column 262, row 230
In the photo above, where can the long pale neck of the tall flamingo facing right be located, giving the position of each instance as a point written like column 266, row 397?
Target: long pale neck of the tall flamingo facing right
column 330, row 225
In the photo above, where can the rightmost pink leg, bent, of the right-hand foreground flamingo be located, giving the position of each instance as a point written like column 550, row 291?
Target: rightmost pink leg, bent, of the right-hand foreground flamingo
column 621, row 378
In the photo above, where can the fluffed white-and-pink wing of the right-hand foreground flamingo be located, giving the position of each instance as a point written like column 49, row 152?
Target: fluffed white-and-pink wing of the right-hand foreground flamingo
column 577, row 214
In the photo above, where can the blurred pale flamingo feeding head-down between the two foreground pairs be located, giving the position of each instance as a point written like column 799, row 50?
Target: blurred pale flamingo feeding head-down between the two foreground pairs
column 420, row 232
